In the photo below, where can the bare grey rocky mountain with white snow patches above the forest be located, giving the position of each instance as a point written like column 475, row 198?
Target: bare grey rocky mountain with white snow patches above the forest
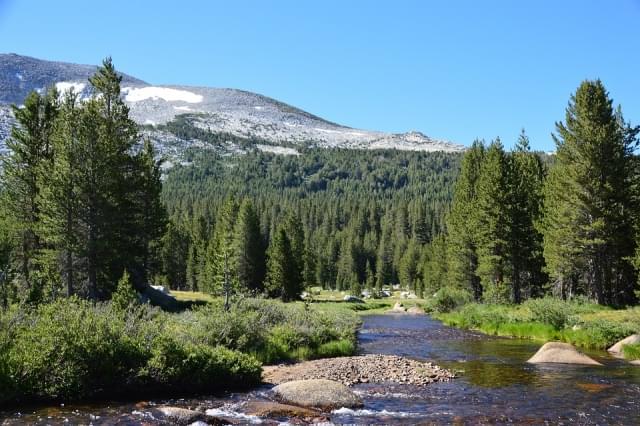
column 229, row 111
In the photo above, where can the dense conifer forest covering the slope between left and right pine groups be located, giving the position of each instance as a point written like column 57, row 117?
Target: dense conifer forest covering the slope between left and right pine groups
column 352, row 219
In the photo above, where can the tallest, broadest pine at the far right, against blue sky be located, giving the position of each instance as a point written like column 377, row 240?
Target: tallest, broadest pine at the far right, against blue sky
column 589, row 201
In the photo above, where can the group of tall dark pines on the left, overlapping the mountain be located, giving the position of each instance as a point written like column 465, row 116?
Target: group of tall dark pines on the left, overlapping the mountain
column 80, row 197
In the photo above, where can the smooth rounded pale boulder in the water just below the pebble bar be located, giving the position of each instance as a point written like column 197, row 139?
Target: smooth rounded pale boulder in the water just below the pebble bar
column 317, row 393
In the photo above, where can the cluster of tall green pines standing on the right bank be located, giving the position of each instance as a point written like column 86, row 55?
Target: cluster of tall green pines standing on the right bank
column 518, row 229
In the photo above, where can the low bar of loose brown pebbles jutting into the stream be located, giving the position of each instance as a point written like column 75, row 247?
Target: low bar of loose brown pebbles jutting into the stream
column 360, row 369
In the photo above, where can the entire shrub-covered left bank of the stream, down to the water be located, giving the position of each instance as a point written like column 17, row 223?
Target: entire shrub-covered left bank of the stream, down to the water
column 73, row 350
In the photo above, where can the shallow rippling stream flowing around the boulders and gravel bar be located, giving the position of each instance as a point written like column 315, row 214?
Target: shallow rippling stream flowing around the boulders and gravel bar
column 495, row 386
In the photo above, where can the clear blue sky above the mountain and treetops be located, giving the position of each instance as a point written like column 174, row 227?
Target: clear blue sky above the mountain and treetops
column 456, row 70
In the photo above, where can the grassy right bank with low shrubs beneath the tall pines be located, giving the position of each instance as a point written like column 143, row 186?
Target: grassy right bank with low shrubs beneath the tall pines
column 582, row 324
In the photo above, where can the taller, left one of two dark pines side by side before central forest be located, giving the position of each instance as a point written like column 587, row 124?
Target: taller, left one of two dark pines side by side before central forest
column 248, row 250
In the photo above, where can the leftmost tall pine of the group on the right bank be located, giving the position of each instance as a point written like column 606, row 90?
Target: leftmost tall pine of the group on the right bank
column 462, row 225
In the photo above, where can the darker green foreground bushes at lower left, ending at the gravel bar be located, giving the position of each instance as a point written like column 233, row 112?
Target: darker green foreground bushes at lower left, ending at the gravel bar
column 73, row 349
